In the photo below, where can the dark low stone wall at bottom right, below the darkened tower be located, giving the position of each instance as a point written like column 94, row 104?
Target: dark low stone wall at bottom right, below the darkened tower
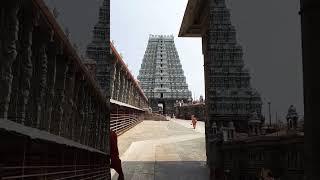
column 283, row 156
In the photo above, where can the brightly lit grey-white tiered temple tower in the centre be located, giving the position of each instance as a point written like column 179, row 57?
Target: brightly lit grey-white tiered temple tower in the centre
column 161, row 75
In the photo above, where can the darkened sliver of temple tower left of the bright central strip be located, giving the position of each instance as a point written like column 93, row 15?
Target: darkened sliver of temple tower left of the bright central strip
column 99, row 49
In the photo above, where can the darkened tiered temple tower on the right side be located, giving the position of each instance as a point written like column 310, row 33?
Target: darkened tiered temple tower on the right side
column 232, row 99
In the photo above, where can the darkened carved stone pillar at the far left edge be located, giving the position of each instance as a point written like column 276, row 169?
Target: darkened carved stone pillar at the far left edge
column 8, row 48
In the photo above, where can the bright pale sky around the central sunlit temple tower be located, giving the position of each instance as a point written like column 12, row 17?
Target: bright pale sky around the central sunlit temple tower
column 133, row 21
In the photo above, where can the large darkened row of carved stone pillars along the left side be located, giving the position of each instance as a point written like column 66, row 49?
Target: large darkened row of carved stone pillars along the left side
column 43, row 83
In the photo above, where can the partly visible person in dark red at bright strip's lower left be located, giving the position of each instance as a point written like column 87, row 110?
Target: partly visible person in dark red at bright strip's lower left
column 114, row 153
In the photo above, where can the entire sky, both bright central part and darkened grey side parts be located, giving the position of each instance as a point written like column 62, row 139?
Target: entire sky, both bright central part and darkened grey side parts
column 269, row 32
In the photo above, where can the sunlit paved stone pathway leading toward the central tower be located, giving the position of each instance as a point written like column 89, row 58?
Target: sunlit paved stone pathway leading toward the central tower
column 163, row 150
